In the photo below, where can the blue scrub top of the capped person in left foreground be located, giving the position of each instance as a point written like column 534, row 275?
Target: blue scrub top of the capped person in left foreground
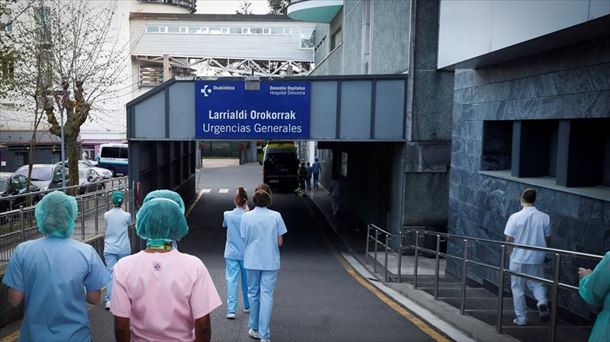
column 54, row 274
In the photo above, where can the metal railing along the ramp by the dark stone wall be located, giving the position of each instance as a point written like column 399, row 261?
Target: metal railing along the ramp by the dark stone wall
column 398, row 242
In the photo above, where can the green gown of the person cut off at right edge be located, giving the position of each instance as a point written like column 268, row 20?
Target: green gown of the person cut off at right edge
column 595, row 290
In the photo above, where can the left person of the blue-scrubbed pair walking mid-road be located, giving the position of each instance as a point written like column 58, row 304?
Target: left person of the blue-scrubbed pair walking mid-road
column 234, row 253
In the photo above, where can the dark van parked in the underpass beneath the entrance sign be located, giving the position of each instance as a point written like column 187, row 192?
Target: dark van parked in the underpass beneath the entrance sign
column 280, row 165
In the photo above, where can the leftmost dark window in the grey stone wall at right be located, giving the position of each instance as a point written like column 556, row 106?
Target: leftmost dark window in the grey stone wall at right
column 497, row 145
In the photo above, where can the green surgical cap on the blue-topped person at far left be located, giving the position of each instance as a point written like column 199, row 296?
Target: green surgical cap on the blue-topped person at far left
column 55, row 214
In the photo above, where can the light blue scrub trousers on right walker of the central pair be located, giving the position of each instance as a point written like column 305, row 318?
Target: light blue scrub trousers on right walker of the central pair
column 260, row 293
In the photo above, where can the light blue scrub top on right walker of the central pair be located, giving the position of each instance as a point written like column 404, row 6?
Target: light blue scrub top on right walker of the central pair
column 260, row 228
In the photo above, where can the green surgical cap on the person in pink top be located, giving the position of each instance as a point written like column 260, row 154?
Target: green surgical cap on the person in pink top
column 161, row 219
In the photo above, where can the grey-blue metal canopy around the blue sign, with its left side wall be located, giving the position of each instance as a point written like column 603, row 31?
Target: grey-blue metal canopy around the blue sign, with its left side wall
column 161, row 124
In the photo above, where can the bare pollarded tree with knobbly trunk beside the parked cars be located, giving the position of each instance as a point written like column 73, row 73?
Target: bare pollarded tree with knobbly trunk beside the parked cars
column 73, row 58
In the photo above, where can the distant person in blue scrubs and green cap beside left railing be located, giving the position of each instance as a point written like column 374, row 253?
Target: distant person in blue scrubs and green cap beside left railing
column 116, row 240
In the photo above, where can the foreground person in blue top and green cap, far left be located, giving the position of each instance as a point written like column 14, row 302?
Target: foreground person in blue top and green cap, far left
column 55, row 276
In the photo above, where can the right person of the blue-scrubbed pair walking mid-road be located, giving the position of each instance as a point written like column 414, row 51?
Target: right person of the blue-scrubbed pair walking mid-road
column 262, row 229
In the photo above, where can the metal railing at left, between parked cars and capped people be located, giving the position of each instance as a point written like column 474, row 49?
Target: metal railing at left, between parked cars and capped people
column 19, row 225
